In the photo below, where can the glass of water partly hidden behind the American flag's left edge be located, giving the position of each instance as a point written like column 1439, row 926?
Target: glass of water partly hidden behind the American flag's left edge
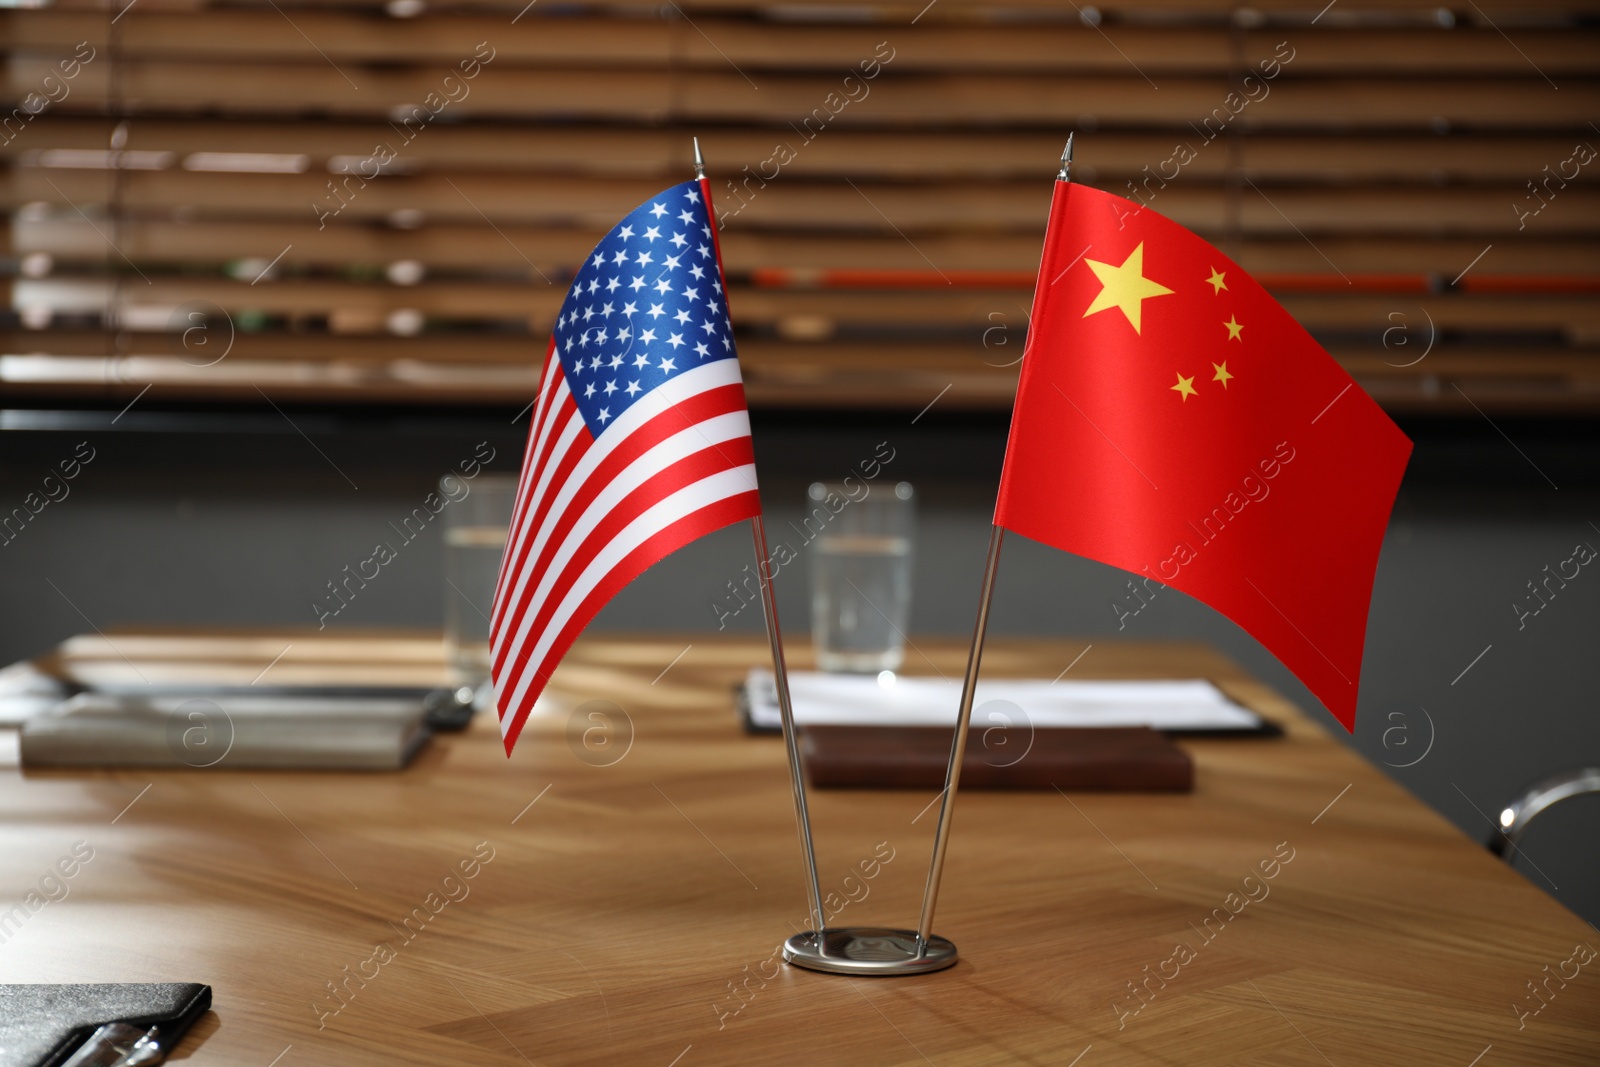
column 476, row 529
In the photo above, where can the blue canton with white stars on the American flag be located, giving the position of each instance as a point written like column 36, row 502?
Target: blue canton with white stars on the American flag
column 646, row 308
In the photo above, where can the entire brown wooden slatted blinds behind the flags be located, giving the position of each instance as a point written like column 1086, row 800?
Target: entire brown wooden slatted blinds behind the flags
column 1399, row 186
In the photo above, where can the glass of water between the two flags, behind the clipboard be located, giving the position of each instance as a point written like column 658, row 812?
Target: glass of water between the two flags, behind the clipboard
column 862, row 545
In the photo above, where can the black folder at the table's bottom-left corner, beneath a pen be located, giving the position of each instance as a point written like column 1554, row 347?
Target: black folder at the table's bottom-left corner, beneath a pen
column 44, row 1026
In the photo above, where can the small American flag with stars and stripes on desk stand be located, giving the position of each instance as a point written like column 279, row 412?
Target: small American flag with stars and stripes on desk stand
column 641, row 441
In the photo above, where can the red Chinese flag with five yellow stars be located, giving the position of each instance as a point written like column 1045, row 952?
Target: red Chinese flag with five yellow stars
column 1175, row 422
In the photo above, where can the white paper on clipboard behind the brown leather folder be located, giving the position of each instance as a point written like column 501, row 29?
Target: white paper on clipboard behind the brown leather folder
column 838, row 700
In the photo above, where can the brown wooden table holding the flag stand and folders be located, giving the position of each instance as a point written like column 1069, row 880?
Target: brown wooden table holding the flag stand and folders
column 630, row 913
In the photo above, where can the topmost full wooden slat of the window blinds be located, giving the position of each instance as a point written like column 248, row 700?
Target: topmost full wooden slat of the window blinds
column 266, row 36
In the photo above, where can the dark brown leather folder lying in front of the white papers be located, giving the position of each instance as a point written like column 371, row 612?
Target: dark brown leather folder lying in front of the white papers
column 1122, row 759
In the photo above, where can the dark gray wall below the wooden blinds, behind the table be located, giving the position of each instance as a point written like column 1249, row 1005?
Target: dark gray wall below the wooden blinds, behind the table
column 242, row 519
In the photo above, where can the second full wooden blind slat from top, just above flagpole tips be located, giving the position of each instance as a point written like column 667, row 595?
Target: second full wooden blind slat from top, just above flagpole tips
column 778, row 100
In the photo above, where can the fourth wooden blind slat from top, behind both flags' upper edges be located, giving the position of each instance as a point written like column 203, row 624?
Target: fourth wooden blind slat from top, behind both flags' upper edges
column 841, row 206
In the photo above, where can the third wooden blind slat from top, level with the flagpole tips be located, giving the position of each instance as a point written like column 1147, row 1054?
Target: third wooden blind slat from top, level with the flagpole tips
column 1110, row 158
